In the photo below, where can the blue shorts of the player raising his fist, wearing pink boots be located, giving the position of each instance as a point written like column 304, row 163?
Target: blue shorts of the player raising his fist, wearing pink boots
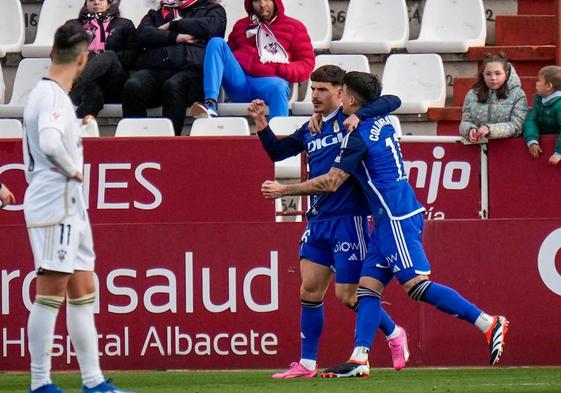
column 339, row 244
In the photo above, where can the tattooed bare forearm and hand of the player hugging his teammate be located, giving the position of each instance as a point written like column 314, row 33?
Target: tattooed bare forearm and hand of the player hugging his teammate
column 329, row 182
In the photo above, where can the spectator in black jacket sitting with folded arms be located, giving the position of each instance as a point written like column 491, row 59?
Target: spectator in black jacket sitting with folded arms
column 174, row 35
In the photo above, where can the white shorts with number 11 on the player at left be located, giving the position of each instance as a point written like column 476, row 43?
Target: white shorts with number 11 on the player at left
column 64, row 247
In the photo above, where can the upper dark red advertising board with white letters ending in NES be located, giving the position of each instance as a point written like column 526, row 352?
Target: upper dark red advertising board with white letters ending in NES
column 185, row 179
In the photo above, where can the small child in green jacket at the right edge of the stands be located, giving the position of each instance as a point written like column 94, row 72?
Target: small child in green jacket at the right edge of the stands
column 545, row 116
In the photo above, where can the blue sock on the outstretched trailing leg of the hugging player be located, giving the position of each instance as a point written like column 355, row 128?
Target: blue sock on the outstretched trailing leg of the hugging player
column 445, row 299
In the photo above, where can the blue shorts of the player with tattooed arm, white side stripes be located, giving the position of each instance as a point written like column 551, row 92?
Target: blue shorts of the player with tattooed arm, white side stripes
column 396, row 249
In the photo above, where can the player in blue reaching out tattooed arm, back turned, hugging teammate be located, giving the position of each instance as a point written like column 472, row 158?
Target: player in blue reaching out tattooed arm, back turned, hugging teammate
column 371, row 154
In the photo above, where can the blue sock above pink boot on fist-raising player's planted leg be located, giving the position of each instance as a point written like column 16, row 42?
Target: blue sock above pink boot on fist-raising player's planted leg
column 311, row 325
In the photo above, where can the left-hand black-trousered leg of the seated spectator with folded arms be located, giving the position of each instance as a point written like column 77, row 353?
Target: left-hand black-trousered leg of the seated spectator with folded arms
column 142, row 91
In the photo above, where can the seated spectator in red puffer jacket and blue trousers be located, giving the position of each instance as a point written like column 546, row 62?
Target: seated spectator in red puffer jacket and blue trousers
column 265, row 53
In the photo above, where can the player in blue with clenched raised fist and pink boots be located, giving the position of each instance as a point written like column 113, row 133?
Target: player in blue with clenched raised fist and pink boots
column 336, row 237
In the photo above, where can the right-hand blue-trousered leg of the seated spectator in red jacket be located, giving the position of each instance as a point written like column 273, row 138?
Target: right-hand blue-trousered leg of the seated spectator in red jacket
column 274, row 91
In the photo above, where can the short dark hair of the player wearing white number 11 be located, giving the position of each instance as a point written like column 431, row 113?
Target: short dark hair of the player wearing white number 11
column 70, row 40
